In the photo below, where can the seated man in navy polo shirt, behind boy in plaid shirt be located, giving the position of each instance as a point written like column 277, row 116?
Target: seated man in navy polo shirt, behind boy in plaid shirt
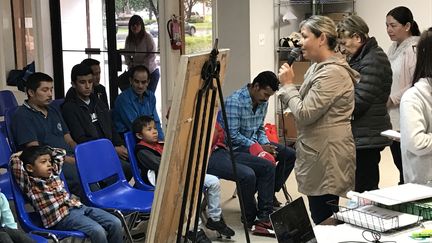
column 36, row 122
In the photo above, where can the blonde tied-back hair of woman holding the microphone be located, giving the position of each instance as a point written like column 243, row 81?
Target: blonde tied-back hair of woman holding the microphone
column 318, row 25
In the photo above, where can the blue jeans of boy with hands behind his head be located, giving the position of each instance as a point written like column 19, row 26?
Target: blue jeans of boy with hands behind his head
column 98, row 225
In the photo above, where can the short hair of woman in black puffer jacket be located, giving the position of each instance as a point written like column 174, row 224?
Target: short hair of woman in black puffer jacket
column 353, row 25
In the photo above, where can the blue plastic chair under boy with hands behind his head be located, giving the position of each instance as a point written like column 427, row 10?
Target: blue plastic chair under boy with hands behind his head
column 31, row 222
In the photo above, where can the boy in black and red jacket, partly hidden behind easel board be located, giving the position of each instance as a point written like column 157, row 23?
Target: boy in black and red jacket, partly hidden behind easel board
column 149, row 151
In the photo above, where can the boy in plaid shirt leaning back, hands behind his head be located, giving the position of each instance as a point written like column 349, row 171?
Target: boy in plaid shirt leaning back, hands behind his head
column 37, row 171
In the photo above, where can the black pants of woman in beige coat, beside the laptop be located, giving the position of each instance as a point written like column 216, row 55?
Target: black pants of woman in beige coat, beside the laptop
column 320, row 208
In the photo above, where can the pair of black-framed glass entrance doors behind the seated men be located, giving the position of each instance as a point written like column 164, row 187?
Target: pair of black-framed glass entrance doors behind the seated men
column 97, row 29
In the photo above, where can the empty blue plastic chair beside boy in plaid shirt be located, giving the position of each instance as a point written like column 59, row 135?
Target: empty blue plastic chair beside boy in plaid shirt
column 97, row 161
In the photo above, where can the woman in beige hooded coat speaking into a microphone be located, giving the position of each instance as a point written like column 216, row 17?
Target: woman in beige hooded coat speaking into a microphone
column 322, row 108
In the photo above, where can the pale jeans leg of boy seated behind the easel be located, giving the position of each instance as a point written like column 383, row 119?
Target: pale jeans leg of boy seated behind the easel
column 214, row 210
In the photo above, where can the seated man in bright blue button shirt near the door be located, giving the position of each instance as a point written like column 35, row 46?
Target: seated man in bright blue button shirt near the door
column 136, row 101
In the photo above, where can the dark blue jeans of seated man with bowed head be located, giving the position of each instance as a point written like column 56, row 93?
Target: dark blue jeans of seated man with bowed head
column 254, row 174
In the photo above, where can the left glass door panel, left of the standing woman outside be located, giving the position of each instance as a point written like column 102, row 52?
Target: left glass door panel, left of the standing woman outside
column 84, row 35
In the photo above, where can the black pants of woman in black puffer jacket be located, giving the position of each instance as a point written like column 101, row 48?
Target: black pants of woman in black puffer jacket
column 367, row 169
